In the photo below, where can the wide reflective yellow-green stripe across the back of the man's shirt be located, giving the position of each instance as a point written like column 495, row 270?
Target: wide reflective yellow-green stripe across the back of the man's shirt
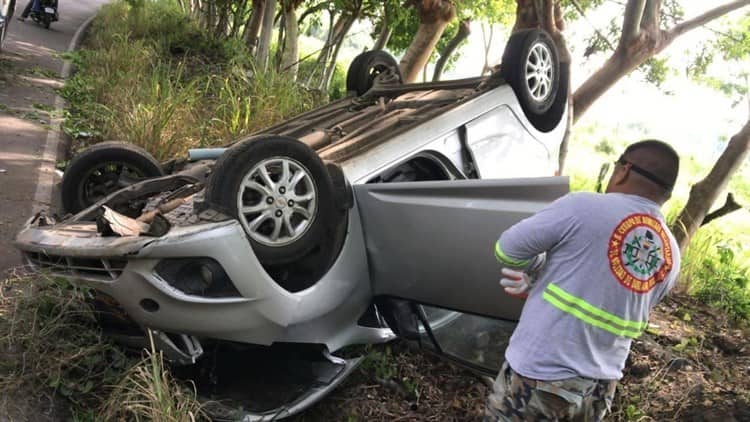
column 592, row 315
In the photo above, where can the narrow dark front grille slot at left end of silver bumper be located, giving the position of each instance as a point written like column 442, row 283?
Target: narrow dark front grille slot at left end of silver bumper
column 104, row 269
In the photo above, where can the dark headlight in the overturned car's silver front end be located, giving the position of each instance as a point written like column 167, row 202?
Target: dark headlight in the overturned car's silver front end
column 197, row 276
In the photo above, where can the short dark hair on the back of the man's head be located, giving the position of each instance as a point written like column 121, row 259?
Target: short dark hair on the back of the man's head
column 655, row 160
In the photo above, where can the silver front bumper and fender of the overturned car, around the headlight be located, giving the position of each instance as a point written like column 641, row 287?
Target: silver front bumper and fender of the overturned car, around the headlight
column 263, row 313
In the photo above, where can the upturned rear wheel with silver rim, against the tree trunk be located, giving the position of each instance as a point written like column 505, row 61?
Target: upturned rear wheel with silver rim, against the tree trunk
column 531, row 66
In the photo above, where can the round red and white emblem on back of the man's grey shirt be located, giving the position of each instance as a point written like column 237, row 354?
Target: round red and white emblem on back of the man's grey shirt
column 640, row 254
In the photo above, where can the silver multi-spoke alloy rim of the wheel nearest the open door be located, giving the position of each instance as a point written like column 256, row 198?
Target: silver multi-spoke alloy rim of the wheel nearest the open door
column 277, row 201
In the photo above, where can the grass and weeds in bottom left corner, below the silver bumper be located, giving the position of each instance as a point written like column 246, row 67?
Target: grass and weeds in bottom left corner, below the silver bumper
column 51, row 346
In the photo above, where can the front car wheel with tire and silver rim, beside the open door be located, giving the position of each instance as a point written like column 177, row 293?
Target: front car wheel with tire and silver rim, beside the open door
column 286, row 212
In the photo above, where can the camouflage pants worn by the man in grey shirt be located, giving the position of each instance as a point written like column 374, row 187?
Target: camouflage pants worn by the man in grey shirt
column 515, row 398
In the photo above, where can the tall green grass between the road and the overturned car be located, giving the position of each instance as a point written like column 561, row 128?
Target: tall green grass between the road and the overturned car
column 156, row 80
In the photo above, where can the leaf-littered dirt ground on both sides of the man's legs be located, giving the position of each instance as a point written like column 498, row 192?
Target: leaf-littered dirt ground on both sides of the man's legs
column 693, row 366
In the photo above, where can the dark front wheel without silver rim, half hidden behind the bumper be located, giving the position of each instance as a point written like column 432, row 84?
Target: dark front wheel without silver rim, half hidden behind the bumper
column 103, row 169
